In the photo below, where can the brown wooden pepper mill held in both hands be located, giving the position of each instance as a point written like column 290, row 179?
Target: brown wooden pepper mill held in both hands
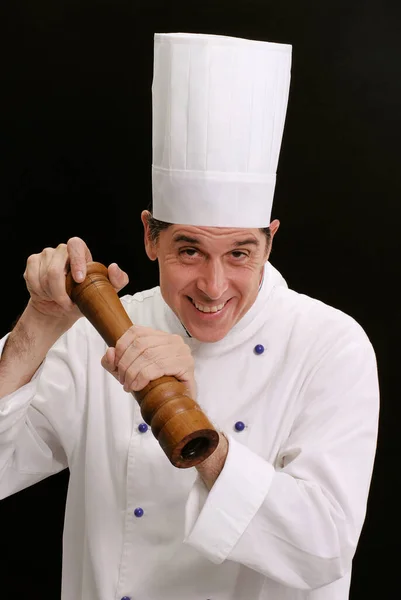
column 178, row 423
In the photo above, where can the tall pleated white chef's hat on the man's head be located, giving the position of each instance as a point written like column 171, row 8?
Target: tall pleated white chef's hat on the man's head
column 219, row 106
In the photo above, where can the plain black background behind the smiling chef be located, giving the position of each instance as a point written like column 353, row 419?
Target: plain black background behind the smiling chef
column 75, row 143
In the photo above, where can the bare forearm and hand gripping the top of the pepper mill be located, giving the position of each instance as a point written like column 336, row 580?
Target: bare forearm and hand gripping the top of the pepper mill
column 50, row 311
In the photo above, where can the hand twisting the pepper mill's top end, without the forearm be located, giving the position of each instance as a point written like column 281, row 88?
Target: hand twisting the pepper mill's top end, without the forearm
column 45, row 277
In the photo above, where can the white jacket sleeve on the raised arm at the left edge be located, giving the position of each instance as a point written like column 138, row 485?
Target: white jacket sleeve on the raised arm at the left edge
column 39, row 422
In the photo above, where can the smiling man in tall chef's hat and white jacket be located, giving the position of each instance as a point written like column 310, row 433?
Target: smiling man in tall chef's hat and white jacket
column 289, row 382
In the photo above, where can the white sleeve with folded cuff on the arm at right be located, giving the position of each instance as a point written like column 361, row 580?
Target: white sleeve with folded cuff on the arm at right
column 299, row 524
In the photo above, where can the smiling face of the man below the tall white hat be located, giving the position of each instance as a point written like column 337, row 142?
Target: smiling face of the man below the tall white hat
column 209, row 276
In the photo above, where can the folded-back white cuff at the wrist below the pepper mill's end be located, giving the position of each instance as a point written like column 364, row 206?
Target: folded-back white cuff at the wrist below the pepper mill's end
column 216, row 520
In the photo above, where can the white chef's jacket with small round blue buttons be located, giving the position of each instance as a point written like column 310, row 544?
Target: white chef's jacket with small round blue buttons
column 282, row 520
